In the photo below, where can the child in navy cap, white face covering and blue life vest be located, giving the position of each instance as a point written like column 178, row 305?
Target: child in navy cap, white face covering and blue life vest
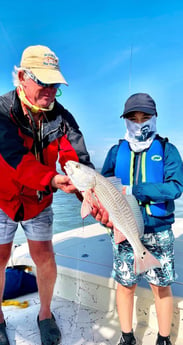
column 150, row 168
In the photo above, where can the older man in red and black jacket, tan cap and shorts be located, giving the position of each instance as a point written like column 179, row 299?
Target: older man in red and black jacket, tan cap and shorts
column 35, row 131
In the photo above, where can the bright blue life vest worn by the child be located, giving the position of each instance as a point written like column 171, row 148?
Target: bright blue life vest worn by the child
column 151, row 170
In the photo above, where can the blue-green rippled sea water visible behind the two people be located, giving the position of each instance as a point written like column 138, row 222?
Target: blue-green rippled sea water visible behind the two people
column 66, row 208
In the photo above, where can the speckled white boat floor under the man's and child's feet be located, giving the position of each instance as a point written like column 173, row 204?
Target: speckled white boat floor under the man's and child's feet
column 79, row 325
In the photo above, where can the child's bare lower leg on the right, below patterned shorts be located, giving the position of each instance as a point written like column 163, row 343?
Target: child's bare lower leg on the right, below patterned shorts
column 164, row 308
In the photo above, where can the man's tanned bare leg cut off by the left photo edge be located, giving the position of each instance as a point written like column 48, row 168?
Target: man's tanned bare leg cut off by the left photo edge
column 5, row 251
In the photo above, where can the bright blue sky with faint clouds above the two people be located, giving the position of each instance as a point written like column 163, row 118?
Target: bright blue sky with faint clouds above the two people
column 108, row 50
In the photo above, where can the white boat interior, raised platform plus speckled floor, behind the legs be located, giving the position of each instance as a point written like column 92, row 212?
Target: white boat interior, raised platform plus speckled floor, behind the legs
column 84, row 295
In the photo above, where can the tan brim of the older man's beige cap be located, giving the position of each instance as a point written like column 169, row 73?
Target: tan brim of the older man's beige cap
column 49, row 76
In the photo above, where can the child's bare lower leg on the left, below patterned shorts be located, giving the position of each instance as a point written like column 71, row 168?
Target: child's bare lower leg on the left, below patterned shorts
column 125, row 303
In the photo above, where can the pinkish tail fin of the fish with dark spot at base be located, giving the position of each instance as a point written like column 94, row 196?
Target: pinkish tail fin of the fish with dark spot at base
column 145, row 261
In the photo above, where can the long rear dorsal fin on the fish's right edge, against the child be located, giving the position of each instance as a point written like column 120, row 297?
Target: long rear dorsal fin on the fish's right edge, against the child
column 131, row 200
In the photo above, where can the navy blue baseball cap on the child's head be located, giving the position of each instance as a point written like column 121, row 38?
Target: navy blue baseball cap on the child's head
column 140, row 102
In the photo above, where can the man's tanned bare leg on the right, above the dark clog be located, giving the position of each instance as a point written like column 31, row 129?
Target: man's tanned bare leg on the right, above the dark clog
column 43, row 256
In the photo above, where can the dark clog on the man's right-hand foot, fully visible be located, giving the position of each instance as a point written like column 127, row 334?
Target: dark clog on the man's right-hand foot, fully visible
column 50, row 333
